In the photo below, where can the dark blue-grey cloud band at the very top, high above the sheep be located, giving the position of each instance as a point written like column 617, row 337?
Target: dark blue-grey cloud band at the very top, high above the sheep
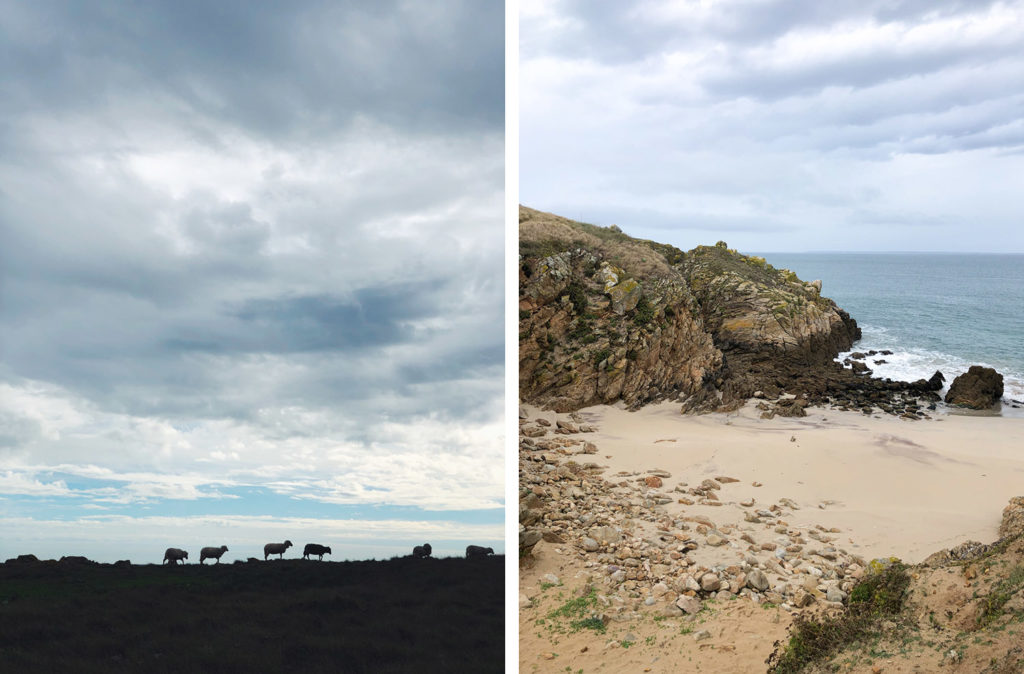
column 298, row 69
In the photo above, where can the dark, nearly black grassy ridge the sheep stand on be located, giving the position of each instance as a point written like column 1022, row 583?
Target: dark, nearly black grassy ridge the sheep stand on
column 398, row 616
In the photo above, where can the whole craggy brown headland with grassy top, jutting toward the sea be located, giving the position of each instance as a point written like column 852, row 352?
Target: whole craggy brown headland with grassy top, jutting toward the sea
column 605, row 317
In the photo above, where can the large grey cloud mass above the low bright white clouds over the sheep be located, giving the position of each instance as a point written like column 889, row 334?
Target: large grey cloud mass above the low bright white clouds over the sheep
column 330, row 280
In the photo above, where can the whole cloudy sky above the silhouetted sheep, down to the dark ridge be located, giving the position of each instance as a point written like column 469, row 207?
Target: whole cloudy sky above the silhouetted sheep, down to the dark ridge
column 251, row 276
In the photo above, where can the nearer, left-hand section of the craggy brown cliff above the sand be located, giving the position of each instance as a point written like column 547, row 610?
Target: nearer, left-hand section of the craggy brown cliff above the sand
column 606, row 318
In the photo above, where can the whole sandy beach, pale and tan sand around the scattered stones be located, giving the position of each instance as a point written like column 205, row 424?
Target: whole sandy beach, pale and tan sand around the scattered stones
column 877, row 486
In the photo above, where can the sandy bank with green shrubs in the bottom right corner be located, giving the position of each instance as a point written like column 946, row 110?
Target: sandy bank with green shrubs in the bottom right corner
column 959, row 616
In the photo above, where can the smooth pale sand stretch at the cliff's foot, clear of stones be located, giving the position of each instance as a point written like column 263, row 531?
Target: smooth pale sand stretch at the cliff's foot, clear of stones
column 893, row 487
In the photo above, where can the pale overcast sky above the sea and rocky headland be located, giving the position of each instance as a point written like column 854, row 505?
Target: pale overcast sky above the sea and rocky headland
column 779, row 125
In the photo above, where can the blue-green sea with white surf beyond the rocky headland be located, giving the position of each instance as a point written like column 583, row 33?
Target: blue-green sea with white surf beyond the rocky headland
column 934, row 311
